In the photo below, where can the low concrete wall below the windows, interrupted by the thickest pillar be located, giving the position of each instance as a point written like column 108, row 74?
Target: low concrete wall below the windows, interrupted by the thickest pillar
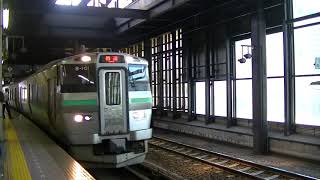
column 297, row 146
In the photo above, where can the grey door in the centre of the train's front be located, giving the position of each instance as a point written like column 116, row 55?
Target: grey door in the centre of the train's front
column 113, row 102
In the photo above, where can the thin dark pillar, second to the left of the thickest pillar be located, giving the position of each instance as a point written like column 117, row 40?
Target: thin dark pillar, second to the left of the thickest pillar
column 207, row 82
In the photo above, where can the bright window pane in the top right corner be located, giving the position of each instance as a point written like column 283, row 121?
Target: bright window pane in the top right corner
column 306, row 7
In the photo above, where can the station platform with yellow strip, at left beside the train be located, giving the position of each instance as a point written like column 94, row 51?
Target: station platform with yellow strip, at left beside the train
column 28, row 153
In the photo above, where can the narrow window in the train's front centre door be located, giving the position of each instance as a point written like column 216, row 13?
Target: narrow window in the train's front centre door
column 113, row 91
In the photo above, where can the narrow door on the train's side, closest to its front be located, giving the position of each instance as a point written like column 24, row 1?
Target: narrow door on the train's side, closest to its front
column 52, row 100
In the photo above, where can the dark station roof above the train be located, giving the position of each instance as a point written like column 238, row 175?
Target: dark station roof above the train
column 48, row 28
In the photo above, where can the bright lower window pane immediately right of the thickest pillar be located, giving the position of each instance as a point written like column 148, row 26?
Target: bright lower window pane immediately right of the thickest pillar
column 275, row 94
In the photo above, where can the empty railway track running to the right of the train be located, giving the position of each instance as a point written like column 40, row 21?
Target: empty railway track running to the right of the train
column 231, row 164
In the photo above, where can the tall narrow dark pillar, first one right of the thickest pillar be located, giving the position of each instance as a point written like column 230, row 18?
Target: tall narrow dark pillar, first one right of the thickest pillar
column 289, row 83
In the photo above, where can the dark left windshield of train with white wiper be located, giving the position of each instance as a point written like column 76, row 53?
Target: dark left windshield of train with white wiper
column 78, row 78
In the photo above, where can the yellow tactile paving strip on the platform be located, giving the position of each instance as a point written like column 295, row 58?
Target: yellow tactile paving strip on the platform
column 16, row 167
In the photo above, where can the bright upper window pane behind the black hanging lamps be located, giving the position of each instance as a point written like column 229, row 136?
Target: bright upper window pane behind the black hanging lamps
column 244, row 70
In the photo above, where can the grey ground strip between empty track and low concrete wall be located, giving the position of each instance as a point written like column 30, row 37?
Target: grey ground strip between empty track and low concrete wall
column 283, row 162
